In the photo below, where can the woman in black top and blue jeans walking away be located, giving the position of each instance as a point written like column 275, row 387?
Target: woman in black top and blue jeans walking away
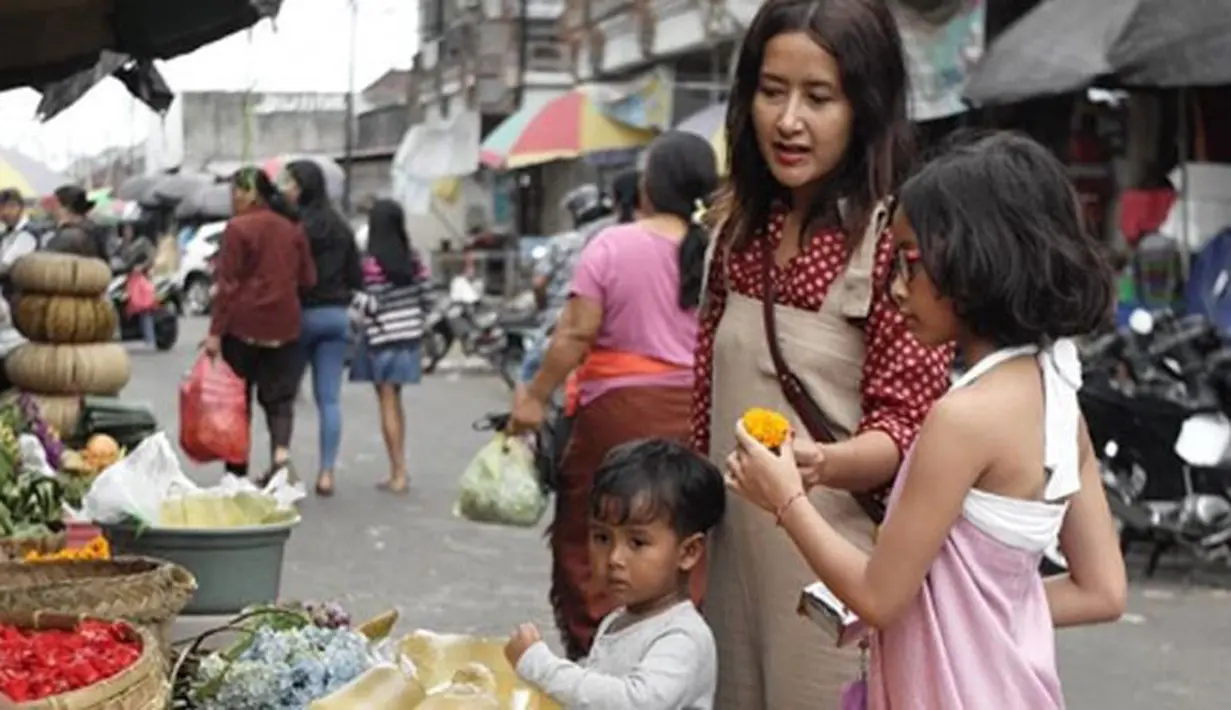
column 326, row 333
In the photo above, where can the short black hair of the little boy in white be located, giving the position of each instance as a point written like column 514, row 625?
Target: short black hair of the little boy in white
column 653, row 479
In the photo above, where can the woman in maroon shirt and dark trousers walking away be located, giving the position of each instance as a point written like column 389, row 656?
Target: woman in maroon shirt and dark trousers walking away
column 264, row 264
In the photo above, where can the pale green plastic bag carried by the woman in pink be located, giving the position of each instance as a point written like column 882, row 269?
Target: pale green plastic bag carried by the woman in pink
column 502, row 485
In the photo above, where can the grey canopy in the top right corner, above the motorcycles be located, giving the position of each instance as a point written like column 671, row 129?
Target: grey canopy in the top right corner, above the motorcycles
column 1068, row 45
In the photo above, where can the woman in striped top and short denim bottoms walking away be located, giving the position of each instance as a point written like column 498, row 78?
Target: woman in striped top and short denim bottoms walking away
column 390, row 354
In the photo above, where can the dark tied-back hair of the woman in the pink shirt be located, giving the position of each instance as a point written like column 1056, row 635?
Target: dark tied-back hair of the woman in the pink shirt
column 681, row 175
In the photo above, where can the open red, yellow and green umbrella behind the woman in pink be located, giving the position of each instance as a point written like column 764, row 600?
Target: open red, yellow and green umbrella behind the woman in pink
column 571, row 126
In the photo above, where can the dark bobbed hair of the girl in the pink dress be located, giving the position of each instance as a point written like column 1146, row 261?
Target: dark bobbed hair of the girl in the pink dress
column 1003, row 237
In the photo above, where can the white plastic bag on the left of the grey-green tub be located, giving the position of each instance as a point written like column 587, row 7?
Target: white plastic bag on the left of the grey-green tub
column 137, row 485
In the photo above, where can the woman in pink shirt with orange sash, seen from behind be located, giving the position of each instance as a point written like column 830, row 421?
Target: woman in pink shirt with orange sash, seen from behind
column 630, row 330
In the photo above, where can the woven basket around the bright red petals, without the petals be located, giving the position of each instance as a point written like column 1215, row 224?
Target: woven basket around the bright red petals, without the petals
column 143, row 686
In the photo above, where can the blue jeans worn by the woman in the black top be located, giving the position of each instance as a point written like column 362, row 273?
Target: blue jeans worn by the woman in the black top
column 324, row 339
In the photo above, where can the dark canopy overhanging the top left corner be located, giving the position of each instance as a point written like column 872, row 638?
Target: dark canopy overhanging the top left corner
column 45, row 41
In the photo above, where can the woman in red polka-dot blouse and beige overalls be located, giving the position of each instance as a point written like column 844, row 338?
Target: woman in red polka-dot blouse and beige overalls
column 818, row 138
